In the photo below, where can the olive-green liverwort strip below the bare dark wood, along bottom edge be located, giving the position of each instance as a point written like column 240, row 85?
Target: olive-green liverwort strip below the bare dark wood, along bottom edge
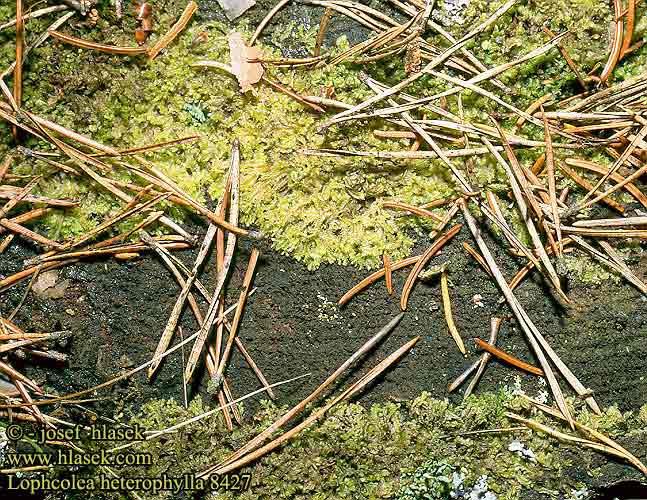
column 381, row 451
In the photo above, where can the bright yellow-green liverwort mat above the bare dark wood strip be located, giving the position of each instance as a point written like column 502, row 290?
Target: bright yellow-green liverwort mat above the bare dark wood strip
column 316, row 209
